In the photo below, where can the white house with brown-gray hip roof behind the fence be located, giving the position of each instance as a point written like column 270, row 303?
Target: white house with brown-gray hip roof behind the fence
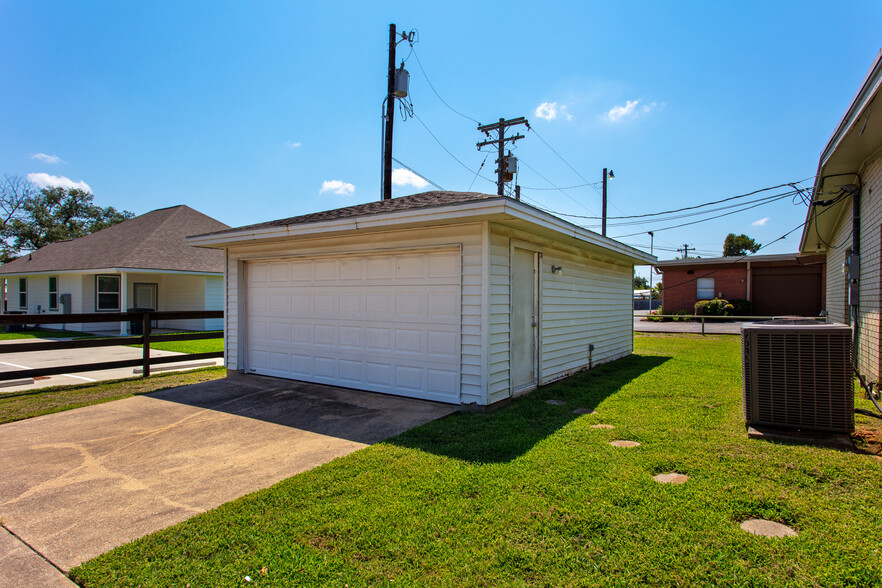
column 143, row 262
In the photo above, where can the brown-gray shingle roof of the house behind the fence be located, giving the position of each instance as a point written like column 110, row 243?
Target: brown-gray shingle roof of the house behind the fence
column 155, row 240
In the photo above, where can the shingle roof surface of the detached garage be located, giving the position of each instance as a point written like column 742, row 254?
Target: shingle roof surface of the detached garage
column 414, row 201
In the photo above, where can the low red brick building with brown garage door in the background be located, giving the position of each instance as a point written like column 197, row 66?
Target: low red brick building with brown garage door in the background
column 788, row 284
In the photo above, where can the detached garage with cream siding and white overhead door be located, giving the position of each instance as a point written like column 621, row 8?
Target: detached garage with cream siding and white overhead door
column 456, row 297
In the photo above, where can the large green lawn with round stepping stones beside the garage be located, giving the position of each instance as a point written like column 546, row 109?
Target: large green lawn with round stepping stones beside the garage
column 532, row 495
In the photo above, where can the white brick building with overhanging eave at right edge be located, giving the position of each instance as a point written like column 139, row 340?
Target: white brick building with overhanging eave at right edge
column 845, row 220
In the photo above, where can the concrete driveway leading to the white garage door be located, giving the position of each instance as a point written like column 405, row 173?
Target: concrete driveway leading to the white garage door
column 78, row 483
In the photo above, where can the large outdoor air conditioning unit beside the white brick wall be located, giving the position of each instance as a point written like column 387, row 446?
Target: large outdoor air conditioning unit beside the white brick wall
column 797, row 374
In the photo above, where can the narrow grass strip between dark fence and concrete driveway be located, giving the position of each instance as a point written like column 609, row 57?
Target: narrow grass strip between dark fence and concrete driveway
column 15, row 406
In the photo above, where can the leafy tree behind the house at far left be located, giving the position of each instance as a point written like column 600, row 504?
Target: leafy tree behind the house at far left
column 35, row 218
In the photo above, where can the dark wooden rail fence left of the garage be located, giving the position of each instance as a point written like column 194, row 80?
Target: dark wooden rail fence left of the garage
column 145, row 318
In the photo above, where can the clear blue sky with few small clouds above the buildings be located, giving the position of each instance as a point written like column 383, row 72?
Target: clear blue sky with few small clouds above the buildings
column 262, row 110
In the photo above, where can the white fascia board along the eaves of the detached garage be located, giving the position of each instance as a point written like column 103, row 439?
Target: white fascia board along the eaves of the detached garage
column 499, row 208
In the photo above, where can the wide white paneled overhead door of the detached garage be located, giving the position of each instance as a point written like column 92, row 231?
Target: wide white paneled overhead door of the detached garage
column 381, row 322
